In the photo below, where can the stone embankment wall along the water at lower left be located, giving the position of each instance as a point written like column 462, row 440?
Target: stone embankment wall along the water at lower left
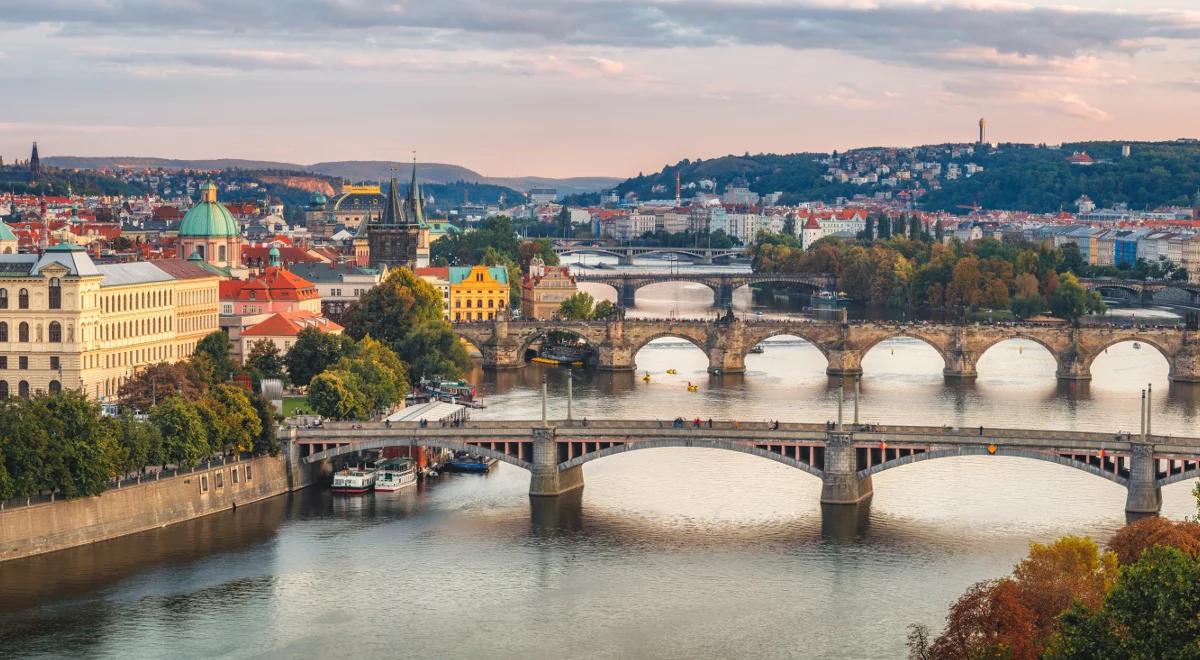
column 49, row 527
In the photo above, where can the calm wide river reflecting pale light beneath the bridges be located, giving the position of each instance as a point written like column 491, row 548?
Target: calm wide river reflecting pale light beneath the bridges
column 667, row 554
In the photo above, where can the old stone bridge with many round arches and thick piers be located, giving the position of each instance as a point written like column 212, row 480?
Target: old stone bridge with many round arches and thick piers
column 503, row 344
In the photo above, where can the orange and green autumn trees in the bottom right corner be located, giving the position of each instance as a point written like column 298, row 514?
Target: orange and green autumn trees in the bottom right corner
column 1071, row 601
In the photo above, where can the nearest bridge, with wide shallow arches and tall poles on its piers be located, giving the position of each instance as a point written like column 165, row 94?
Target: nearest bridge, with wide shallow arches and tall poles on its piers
column 844, row 458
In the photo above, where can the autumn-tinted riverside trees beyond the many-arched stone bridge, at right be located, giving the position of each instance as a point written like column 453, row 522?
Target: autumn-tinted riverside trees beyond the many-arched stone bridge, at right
column 1019, row 278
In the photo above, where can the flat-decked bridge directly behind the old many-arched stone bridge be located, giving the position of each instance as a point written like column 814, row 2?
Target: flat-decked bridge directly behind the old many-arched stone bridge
column 723, row 284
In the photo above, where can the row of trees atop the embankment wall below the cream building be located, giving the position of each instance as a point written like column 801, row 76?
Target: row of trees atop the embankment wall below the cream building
column 175, row 415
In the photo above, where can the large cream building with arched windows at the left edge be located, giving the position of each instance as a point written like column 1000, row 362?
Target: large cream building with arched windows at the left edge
column 69, row 323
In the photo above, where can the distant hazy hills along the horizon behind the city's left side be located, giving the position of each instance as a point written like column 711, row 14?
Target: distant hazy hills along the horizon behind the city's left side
column 353, row 171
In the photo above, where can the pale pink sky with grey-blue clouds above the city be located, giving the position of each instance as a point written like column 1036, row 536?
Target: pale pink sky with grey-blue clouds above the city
column 571, row 88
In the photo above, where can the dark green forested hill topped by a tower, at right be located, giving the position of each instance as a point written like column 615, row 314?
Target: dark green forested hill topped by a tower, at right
column 1017, row 177
